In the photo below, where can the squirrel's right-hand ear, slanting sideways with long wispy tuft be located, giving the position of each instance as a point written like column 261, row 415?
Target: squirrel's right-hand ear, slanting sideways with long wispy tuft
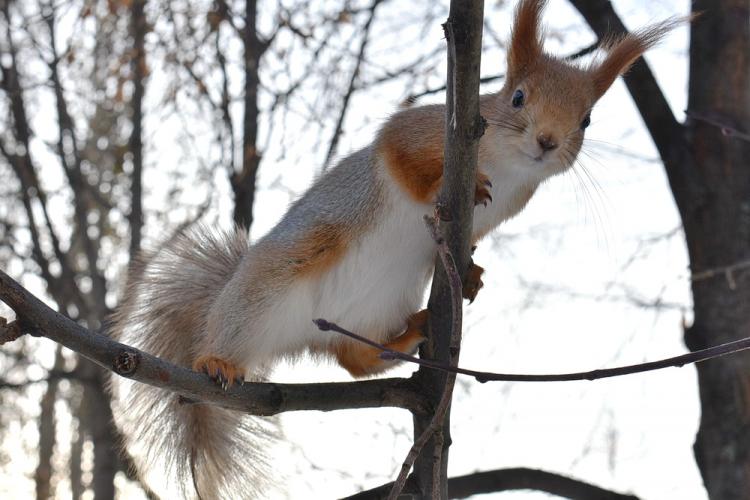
column 622, row 52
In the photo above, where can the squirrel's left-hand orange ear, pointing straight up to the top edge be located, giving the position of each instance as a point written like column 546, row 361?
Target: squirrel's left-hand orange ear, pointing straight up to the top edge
column 526, row 44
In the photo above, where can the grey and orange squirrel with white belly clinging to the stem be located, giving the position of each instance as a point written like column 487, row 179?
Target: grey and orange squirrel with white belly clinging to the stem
column 352, row 249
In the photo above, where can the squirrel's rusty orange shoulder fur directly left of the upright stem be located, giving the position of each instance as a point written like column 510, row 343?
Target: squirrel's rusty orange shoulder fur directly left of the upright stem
column 412, row 146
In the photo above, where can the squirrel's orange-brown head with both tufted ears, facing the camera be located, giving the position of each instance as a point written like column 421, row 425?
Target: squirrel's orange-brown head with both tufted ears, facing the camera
column 545, row 105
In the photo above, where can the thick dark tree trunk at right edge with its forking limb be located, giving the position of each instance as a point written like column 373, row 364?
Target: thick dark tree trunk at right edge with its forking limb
column 706, row 161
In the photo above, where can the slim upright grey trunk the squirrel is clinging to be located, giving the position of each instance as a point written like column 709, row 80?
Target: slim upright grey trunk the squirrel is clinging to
column 464, row 127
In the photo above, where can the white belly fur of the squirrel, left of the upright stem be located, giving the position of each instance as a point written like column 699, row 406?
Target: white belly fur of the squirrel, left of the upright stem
column 372, row 291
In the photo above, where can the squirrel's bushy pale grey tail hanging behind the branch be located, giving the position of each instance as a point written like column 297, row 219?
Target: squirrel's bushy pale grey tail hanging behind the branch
column 195, row 450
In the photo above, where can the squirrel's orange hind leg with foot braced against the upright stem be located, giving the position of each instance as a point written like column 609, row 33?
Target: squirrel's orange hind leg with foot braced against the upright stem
column 361, row 360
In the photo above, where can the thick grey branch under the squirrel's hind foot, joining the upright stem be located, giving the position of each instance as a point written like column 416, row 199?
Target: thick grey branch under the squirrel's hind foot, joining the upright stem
column 33, row 316
